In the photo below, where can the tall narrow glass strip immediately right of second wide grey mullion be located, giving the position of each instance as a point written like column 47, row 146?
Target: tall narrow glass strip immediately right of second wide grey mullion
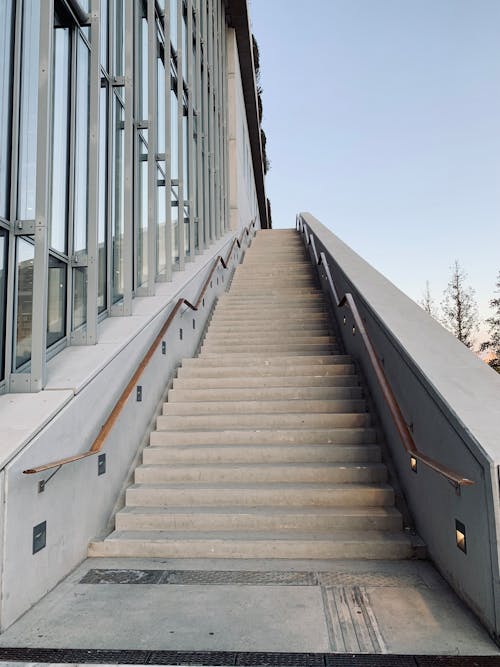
column 103, row 213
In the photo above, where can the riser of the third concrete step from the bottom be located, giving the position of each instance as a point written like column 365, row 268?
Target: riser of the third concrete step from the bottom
column 241, row 497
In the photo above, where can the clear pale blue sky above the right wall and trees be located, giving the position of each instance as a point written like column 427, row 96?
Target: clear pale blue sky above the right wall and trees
column 383, row 121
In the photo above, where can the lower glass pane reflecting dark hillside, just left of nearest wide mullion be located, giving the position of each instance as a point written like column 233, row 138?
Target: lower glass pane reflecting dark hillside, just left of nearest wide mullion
column 24, row 300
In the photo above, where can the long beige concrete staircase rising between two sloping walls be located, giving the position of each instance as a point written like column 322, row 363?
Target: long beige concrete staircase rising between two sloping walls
column 265, row 447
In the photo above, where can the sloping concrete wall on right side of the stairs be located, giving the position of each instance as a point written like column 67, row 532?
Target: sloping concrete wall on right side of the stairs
column 450, row 399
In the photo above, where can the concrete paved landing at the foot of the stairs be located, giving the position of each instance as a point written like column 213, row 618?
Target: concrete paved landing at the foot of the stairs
column 290, row 606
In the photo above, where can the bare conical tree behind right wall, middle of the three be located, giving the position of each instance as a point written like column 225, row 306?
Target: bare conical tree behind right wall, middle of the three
column 460, row 314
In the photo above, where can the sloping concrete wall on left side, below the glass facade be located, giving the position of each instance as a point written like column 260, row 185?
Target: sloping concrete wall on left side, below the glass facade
column 84, row 384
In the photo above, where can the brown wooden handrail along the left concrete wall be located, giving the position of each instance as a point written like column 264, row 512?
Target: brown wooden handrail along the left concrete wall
column 99, row 441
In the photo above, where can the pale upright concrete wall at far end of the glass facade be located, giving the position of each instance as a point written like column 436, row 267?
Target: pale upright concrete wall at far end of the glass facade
column 242, row 194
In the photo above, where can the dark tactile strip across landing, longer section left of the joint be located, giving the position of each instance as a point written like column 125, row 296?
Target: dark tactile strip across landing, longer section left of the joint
column 200, row 577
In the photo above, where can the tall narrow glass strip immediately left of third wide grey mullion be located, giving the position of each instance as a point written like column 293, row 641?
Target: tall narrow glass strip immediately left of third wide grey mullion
column 118, row 201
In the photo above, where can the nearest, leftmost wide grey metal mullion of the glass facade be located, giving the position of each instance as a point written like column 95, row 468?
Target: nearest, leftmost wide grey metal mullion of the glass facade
column 41, row 255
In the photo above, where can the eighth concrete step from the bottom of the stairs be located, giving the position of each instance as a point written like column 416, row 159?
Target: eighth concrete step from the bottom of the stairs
column 249, row 407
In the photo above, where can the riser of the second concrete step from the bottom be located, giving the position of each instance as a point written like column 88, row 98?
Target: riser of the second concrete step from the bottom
column 241, row 521
